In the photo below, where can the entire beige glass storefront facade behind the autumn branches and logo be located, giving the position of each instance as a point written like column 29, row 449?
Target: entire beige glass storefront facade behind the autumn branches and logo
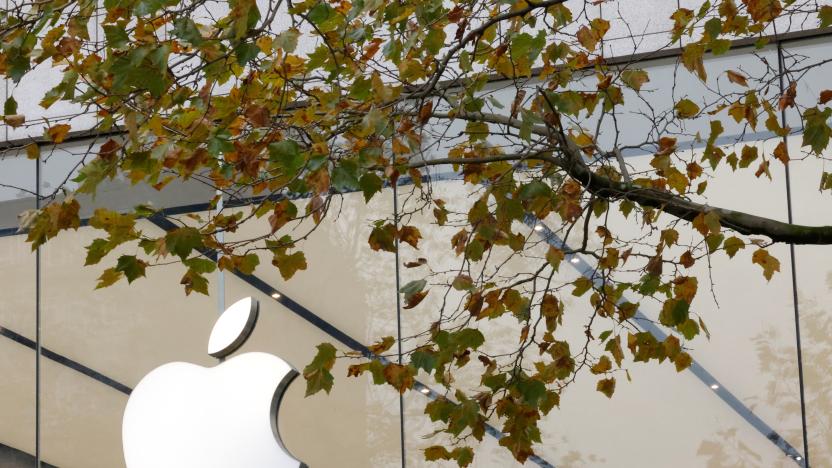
column 739, row 405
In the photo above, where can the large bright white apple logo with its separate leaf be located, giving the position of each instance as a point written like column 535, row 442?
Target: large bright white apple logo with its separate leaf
column 182, row 415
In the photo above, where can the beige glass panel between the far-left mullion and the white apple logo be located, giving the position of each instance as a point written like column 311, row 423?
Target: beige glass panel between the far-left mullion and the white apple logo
column 105, row 341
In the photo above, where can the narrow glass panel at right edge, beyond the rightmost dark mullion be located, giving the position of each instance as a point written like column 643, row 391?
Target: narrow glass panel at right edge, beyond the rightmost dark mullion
column 814, row 274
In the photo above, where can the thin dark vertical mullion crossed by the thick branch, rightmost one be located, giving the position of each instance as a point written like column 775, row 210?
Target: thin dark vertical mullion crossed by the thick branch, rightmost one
column 781, row 72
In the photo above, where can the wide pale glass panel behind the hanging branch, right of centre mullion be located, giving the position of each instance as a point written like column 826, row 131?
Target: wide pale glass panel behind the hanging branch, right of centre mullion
column 693, row 422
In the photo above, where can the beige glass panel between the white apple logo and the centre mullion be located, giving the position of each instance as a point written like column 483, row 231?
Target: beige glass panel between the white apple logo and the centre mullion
column 353, row 291
